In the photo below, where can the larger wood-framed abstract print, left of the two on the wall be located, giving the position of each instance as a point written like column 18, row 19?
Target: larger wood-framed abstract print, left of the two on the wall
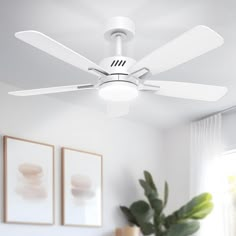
column 28, row 182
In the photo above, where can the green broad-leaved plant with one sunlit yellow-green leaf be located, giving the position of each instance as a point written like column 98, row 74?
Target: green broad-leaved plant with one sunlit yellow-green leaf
column 150, row 217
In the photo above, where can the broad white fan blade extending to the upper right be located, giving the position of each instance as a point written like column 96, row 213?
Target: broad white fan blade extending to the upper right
column 189, row 45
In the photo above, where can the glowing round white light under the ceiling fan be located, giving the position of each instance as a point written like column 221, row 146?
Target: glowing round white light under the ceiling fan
column 118, row 91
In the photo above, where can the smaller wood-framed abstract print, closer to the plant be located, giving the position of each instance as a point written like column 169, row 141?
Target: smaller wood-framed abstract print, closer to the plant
column 81, row 188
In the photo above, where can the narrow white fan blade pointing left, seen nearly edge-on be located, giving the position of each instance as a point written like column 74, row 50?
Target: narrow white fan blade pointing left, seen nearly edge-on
column 50, row 90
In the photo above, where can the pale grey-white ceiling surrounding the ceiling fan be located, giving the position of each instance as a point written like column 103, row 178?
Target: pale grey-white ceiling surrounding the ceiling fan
column 79, row 24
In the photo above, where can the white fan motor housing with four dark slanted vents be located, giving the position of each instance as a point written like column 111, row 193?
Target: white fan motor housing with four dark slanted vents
column 117, row 64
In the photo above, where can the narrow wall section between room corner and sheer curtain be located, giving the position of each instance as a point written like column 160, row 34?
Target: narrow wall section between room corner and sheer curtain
column 176, row 163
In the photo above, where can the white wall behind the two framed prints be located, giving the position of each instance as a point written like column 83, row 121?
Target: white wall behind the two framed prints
column 128, row 148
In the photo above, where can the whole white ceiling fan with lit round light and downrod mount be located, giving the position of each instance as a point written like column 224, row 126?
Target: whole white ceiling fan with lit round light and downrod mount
column 120, row 78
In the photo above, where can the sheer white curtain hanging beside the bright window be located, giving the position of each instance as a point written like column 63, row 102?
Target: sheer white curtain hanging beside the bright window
column 205, row 171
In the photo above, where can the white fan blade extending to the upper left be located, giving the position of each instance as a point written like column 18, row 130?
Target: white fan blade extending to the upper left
column 52, row 47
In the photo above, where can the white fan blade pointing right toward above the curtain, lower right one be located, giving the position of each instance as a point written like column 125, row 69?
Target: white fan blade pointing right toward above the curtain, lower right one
column 187, row 90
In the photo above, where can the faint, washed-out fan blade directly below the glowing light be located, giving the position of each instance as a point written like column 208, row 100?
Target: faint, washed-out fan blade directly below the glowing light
column 117, row 109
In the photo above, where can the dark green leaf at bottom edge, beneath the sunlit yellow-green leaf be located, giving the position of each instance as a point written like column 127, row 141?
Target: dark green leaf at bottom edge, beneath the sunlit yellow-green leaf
column 183, row 229
